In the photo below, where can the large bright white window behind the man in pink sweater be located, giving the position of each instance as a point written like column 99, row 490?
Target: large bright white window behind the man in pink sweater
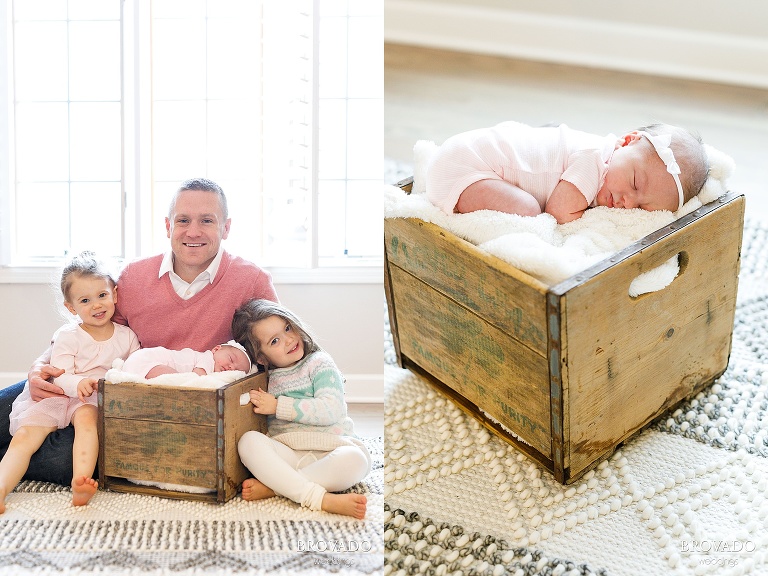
column 109, row 104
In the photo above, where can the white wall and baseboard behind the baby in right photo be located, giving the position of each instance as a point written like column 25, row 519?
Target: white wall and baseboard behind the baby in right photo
column 708, row 40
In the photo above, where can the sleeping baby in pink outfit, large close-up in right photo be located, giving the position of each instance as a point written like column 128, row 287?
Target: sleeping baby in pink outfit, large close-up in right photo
column 524, row 170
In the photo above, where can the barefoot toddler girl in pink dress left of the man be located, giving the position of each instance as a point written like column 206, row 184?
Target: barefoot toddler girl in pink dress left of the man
column 85, row 352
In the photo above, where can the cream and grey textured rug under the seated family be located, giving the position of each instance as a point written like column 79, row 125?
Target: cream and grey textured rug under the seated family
column 42, row 533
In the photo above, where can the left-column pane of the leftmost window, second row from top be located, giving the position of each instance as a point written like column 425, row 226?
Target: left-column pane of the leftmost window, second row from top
column 40, row 61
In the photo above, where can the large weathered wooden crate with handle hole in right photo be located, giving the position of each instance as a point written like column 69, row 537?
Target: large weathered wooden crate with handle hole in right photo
column 566, row 372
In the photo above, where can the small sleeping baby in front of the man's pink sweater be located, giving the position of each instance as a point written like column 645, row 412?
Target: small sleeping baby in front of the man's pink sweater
column 152, row 362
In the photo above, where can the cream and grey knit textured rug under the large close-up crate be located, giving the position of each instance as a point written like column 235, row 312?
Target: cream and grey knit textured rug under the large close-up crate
column 687, row 496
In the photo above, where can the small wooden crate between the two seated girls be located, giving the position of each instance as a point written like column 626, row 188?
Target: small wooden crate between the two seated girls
column 175, row 435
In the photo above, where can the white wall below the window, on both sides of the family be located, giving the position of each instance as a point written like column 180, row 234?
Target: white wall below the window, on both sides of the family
column 347, row 319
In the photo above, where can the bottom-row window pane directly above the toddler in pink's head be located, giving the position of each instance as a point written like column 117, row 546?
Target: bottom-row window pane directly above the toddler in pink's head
column 96, row 217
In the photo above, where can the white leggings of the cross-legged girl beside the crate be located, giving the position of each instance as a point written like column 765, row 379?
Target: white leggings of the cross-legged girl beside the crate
column 301, row 475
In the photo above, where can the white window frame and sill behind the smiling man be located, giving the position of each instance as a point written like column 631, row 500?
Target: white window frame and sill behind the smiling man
column 137, row 215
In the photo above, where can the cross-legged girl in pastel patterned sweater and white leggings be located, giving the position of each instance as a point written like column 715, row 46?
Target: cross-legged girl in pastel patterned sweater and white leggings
column 311, row 451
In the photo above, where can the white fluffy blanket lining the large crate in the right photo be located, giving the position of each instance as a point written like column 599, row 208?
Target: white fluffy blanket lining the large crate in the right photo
column 546, row 250
